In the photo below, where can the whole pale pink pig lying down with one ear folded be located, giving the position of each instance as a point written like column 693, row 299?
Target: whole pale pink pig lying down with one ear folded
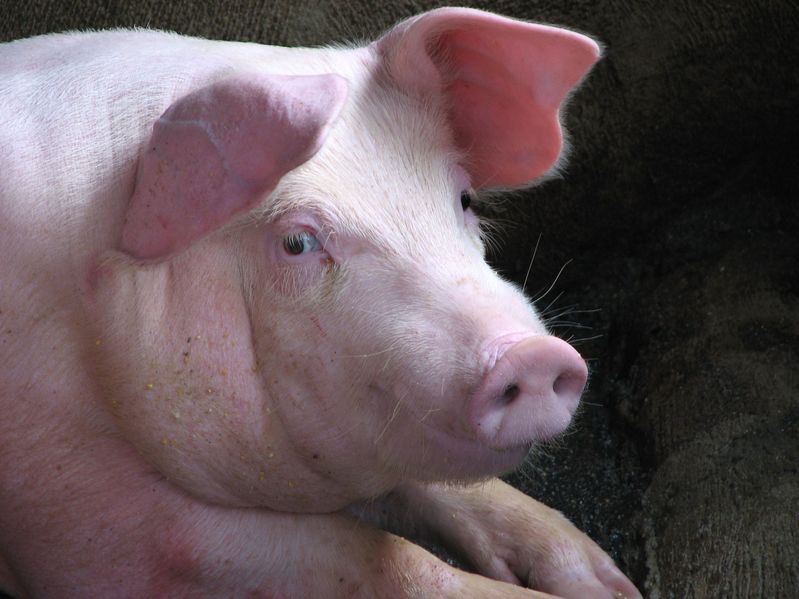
column 250, row 342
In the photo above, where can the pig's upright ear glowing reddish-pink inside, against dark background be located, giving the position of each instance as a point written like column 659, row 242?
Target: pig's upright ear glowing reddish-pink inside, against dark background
column 504, row 83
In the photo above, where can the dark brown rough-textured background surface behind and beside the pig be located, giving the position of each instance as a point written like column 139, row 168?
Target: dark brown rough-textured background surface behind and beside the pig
column 679, row 213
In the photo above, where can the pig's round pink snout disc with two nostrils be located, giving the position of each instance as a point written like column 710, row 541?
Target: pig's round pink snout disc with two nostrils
column 529, row 394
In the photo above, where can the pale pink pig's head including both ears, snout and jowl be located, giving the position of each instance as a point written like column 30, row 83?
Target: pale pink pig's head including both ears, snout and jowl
column 302, row 300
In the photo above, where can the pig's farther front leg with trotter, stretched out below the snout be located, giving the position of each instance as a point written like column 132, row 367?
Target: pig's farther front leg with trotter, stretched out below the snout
column 505, row 535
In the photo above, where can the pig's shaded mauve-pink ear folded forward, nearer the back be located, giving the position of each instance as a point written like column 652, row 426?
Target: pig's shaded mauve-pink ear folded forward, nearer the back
column 220, row 151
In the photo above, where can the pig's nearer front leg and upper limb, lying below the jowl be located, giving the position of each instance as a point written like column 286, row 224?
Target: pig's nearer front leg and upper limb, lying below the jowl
column 90, row 522
